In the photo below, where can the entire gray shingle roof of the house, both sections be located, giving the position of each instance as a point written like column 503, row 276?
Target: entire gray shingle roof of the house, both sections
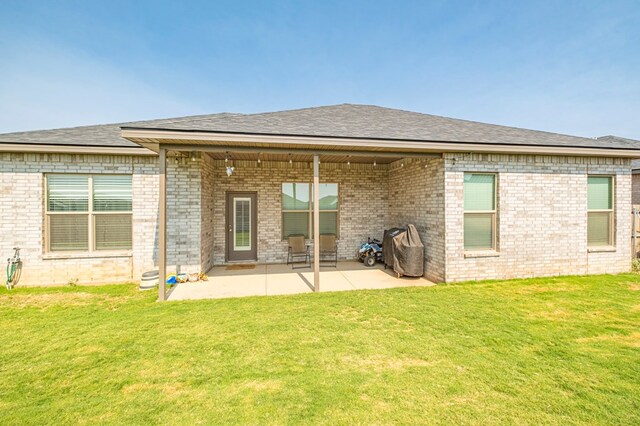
column 346, row 120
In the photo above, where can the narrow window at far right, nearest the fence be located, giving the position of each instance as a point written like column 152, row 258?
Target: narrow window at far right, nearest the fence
column 600, row 211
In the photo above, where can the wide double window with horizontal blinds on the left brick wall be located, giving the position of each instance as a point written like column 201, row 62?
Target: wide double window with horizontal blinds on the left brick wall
column 87, row 213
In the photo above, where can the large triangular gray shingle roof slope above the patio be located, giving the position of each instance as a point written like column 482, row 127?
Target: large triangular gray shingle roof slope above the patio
column 368, row 121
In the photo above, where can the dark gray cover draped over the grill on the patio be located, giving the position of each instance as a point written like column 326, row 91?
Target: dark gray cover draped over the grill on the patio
column 403, row 251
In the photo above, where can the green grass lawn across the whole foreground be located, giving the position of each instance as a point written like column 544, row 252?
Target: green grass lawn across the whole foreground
column 552, row 351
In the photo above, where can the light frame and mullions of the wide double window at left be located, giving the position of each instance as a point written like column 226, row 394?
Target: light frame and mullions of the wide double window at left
column 90, row 222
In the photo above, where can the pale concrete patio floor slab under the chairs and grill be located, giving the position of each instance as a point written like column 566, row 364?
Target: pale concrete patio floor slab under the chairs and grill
column 241, row 280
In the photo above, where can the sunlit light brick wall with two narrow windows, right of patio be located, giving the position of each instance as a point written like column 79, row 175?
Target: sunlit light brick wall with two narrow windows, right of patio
column 542, row 216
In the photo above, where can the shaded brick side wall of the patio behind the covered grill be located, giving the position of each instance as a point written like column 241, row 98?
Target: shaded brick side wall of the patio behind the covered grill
column 416, row 196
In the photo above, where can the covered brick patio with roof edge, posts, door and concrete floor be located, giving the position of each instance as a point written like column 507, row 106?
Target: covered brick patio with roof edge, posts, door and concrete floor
column 228, row 202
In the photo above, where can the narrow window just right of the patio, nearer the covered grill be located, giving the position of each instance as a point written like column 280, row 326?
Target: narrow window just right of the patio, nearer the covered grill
column 479, row 211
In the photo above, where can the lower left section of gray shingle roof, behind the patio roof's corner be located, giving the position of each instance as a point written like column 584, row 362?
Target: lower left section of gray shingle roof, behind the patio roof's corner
column 105, row 135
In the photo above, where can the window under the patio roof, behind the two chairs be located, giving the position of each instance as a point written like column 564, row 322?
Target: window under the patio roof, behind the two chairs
column 297, row 209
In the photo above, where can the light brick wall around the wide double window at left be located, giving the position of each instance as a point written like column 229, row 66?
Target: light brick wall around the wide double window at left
column 22, row 198
